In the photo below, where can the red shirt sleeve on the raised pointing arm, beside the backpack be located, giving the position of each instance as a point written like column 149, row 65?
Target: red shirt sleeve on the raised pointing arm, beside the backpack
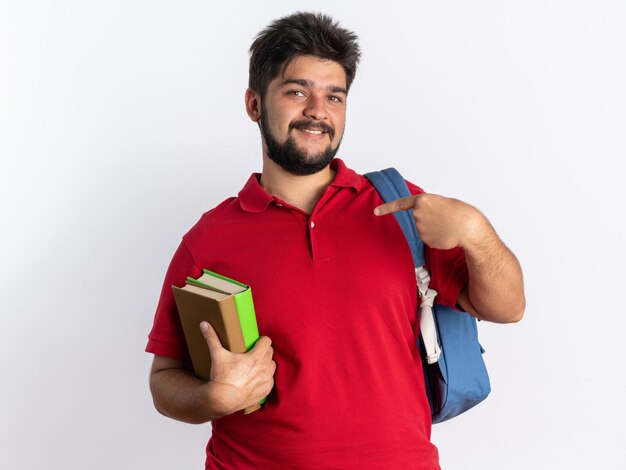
column 448, row 270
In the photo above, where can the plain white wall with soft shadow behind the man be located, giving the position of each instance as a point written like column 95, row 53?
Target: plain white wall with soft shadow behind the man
column 122, row 121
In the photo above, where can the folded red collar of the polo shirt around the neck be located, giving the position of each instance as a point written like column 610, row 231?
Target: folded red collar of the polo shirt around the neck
column 253, row 198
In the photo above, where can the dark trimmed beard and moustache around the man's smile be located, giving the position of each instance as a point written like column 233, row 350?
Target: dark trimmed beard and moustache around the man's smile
column 289, row 157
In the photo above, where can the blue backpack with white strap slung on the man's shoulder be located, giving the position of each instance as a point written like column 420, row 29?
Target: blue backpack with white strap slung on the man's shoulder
column 454, row 371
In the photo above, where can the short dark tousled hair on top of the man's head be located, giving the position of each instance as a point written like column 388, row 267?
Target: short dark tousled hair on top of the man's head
column 301, row 33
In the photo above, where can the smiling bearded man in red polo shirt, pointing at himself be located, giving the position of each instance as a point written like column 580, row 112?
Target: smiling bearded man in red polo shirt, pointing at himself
column 333, row 281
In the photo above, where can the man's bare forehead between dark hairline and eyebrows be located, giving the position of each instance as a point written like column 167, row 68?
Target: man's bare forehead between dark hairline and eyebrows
column 322, row 72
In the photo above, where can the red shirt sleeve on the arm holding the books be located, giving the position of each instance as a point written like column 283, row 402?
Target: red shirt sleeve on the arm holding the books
column 166, row 337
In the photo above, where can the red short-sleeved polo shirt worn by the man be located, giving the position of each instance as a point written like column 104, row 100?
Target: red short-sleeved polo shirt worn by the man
column 335, row 291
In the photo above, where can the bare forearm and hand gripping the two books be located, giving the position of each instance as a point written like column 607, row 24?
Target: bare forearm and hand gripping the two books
column 237, row 381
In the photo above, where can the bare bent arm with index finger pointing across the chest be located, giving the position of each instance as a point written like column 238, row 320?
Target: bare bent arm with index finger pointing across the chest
column 495, row 291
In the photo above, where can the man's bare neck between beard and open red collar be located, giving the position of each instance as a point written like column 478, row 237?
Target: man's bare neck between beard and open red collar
column 302, row 192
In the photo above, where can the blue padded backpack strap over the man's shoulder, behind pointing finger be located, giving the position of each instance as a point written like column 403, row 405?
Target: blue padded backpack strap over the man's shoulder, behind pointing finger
column 391, row 186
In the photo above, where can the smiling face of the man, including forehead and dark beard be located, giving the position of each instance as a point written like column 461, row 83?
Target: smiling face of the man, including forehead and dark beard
column 303, row 115
